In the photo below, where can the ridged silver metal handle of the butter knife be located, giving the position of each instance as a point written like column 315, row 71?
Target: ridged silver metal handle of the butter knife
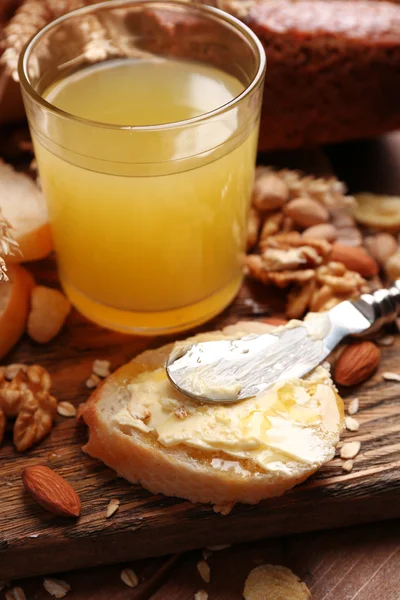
column 381, row 307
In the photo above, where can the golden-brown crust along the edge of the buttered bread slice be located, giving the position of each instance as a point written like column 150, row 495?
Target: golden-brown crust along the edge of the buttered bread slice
column 172, row 471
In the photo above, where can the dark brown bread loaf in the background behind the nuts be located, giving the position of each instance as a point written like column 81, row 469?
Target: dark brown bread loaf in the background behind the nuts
column 333, row 70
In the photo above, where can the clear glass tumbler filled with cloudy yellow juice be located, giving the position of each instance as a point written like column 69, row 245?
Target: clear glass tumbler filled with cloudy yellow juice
column 144, row 118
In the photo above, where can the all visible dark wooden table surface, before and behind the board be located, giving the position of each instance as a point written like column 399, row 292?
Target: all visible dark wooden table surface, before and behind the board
column 359, row 563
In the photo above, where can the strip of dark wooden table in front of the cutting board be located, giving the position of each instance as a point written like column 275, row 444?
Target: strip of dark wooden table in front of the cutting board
column 358, row 563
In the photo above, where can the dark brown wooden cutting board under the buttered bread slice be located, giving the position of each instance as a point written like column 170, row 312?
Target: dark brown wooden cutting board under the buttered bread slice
column 33, row 541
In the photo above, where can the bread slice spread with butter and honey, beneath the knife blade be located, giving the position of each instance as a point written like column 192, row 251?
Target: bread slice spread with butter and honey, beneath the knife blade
column 141, row 427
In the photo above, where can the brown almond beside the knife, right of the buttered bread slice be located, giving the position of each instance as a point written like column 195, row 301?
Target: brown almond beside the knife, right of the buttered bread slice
column 357, row 363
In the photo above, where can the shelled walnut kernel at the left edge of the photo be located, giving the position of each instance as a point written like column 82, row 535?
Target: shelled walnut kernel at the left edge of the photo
column 25, row 396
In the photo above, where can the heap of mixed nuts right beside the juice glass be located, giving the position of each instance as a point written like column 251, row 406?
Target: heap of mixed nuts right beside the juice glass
column 303, row 237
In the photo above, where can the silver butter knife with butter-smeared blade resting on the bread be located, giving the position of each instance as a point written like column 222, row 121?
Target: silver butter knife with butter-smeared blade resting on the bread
column 227, row 371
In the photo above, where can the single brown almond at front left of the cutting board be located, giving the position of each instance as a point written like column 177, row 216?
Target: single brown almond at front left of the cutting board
column 51, row 491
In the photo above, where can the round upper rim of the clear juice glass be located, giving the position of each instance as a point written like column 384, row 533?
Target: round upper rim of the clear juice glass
column 205, row 9
